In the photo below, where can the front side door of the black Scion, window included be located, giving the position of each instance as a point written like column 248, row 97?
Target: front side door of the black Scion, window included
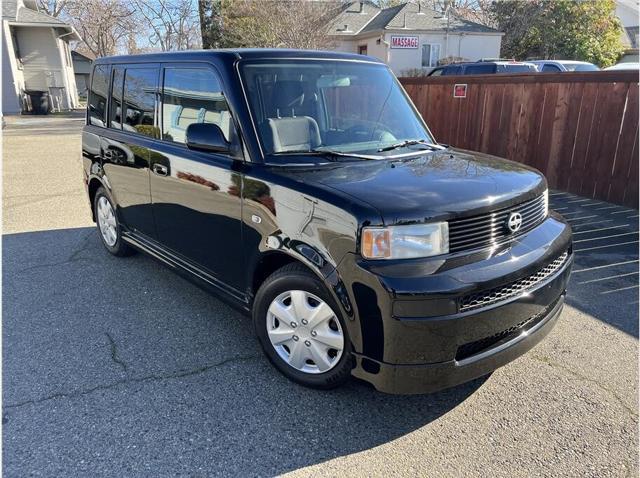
column 196, row 195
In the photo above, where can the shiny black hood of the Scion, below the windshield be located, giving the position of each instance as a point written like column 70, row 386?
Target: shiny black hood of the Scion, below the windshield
column 445, row 184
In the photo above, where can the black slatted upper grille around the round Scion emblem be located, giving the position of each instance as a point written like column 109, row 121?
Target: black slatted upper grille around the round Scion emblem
column 488, row 230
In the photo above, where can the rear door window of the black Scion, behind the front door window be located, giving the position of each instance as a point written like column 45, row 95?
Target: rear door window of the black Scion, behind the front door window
column 140, row 86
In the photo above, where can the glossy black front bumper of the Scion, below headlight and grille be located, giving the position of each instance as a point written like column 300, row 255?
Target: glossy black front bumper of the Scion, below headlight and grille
column 415, row 335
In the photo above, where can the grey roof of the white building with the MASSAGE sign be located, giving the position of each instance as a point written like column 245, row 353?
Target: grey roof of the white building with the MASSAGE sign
column 366, row 18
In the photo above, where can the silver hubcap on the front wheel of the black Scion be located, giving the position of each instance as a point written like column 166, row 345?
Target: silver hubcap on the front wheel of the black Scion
column 305, row 331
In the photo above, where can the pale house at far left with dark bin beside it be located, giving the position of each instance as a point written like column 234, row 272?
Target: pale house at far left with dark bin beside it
column 35, row 56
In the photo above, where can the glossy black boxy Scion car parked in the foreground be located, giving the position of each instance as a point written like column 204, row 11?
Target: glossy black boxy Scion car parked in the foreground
column 303, row 188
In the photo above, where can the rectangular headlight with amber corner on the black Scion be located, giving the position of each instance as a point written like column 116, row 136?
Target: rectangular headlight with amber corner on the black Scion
column 405, row 242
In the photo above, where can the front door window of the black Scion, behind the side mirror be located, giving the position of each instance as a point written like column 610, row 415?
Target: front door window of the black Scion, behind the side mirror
column 192, row 95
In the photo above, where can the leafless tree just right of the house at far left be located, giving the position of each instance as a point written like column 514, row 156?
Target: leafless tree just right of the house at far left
column 103, row 25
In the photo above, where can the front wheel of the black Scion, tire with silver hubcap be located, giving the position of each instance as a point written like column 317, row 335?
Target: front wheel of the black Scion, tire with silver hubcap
column 281, row 287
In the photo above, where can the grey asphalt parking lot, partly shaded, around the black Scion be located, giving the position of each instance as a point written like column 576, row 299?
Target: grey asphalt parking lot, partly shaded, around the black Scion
column 119, row 367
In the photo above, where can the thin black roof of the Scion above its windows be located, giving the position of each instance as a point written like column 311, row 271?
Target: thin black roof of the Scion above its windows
column 236, row 54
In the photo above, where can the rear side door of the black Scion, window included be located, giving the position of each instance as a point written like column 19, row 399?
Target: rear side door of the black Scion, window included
column 132, row 125
